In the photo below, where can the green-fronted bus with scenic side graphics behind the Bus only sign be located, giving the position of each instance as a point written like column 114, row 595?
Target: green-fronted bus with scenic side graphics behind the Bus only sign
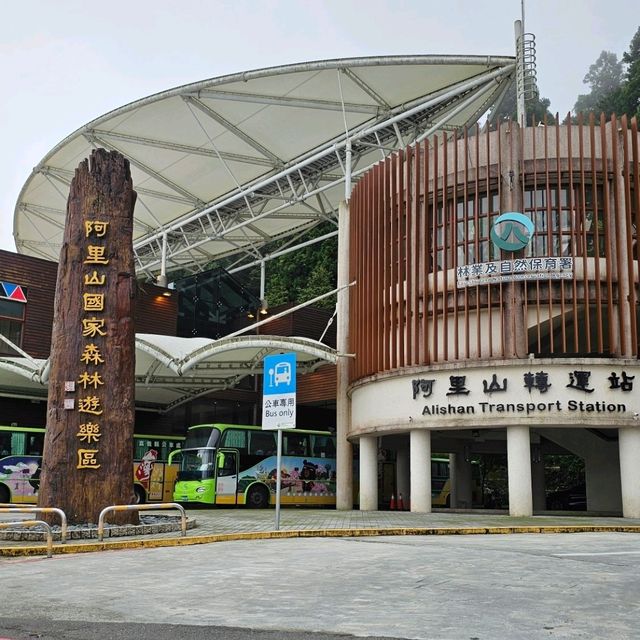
column 227, row 464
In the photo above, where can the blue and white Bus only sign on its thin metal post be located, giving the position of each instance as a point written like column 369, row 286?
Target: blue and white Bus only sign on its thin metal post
column 279, row 405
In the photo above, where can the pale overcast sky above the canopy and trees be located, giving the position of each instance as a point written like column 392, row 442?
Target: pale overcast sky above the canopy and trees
column 66, row 62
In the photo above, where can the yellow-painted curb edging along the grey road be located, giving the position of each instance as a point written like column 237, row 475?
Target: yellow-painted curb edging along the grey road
column 149, row 543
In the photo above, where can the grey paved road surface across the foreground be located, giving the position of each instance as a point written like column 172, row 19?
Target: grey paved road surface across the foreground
column 581, row 585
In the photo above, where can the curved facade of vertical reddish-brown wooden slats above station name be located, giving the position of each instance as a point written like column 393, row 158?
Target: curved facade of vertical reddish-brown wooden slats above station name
column 424, row 215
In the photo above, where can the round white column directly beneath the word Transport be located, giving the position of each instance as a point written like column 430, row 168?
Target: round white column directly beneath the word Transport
column 519, row 470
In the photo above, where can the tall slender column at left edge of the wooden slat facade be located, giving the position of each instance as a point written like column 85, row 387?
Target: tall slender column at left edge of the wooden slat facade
column 344, row 450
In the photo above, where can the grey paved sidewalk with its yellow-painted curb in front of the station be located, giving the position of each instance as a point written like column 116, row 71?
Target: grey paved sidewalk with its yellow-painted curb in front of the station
column 217, row 525
